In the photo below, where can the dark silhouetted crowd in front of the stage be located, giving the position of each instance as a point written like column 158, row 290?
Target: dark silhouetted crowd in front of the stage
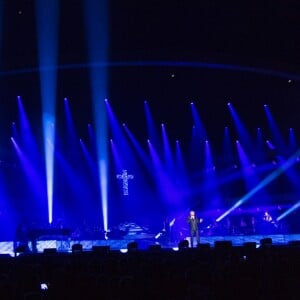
column 220, row 272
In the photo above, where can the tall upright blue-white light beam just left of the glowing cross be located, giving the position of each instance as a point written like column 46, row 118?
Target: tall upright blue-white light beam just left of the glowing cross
column 96, row 18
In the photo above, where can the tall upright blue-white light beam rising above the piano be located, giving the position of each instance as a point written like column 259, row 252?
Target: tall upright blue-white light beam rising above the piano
column 47, row 44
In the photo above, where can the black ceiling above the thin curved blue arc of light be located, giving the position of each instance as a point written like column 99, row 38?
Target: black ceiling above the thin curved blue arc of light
column 260, row 33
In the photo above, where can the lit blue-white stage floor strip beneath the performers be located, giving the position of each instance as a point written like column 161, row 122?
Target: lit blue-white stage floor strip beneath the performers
column 65, row 245
